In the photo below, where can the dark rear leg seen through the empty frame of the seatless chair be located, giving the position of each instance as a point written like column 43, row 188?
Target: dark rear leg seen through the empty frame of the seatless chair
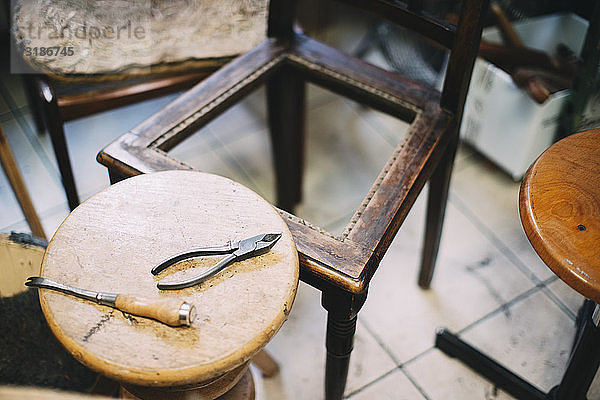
column 285, row 107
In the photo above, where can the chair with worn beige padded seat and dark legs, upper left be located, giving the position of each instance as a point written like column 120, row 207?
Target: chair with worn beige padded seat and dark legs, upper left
column 96, row 71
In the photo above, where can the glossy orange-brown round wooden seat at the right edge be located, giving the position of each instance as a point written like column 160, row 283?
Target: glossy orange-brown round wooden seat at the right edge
column 559, row 204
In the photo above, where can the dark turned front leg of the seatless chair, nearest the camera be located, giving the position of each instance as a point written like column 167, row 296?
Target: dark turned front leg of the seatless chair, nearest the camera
column 341, row 325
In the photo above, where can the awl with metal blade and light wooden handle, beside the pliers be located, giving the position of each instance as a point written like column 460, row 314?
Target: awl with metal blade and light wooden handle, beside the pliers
column 171, row 311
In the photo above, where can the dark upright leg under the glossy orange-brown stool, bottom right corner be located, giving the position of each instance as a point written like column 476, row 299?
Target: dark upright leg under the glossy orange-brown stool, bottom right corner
column 583, row 363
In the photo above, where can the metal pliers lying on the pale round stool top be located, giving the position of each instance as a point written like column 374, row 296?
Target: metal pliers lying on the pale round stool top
column 236, row 251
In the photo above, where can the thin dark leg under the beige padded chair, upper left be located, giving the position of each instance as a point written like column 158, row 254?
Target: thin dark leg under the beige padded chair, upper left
column 59, row 144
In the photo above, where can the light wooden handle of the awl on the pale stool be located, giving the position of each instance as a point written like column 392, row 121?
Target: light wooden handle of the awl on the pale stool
column 171, row 311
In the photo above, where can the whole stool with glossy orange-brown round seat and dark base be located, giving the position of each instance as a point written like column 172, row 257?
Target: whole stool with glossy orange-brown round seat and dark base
column 559, row 204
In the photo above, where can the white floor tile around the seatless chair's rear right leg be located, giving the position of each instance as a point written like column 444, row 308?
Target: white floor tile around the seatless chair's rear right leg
column 472, row 278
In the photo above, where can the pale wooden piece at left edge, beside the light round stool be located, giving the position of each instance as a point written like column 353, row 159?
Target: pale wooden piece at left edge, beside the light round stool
column 17, row 263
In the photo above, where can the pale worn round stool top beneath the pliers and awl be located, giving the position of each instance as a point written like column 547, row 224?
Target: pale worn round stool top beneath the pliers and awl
column 110, row 243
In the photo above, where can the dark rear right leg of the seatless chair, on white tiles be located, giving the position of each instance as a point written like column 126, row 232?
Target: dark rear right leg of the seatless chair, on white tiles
column 439, row 184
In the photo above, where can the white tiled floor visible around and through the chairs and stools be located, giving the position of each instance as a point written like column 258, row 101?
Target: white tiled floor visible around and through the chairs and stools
column 489, row 285
